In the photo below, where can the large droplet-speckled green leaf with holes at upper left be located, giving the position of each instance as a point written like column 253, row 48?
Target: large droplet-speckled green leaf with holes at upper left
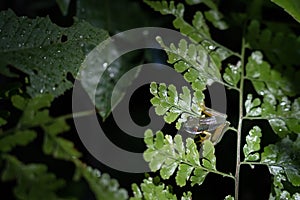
column 40, row 48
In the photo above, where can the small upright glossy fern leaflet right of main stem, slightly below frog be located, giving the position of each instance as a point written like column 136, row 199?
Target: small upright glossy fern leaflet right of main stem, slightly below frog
column 252, row 144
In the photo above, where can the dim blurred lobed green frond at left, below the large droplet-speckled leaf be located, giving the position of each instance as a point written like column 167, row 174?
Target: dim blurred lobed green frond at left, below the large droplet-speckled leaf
column 36, row 114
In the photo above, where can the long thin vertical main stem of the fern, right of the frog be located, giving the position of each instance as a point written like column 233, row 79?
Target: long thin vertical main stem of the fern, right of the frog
column 239, row 129
